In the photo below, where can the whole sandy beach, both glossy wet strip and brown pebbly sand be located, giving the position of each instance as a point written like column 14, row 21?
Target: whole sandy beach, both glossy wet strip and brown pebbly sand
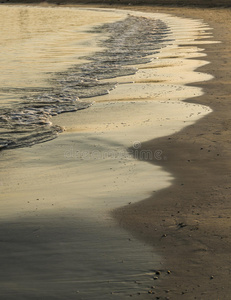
column 185, row 218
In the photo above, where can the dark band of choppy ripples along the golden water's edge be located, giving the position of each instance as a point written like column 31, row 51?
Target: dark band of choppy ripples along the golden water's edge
column 128, row 42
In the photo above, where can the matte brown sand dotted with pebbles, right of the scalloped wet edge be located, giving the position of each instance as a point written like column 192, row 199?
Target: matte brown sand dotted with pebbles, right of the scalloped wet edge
column 188, row 223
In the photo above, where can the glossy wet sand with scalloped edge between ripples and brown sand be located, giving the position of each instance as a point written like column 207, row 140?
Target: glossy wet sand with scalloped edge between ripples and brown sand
column 58, row 195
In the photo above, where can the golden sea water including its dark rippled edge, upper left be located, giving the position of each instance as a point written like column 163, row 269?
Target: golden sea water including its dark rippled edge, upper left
column 27, row 120
